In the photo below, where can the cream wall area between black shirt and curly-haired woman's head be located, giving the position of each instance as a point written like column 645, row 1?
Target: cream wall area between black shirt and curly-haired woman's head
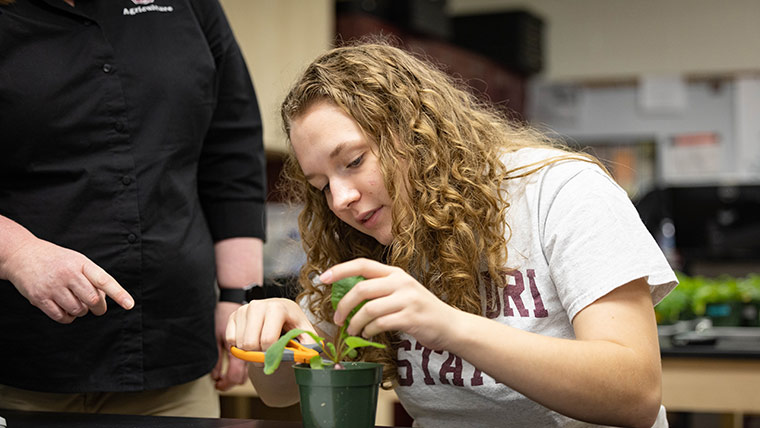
column 278, row 39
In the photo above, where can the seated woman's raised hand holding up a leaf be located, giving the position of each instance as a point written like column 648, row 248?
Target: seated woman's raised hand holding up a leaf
column 395, row 301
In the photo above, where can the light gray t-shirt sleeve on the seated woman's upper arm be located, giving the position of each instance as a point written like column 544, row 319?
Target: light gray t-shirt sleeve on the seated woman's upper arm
column 594, row 239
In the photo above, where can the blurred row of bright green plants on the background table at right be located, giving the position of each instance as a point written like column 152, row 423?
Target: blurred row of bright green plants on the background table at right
column 694, row 293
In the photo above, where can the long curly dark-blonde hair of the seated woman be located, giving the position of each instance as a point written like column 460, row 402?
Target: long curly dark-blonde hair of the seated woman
column 439, row 148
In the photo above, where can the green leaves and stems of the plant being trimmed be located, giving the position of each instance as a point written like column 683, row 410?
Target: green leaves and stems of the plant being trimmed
column 341, row 347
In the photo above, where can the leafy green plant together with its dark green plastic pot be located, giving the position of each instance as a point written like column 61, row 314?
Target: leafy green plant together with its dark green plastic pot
column 334, row 392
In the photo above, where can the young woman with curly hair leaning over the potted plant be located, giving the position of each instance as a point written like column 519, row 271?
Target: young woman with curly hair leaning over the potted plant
column 513, row 280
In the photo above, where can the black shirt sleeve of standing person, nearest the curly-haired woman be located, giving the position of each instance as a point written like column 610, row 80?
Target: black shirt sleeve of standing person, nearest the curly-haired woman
column 232, row 166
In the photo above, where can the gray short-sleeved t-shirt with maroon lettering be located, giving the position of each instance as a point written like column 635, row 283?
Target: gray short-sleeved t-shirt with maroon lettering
column 576, row 236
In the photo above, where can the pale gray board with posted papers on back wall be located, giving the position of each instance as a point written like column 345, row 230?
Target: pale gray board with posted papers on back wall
column 687, row 154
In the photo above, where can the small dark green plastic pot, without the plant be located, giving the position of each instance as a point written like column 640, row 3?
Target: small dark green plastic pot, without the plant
column 339, row 398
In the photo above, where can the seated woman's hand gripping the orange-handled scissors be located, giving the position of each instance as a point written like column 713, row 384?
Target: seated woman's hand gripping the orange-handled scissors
column 258, row 324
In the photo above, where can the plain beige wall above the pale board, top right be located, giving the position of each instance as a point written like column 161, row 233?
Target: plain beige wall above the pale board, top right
column 622, row 39
